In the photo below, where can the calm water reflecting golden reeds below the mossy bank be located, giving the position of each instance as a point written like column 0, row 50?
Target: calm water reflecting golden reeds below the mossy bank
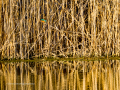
column 60, row 75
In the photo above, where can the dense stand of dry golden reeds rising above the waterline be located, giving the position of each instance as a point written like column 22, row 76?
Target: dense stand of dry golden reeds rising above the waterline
column 73, row 28
